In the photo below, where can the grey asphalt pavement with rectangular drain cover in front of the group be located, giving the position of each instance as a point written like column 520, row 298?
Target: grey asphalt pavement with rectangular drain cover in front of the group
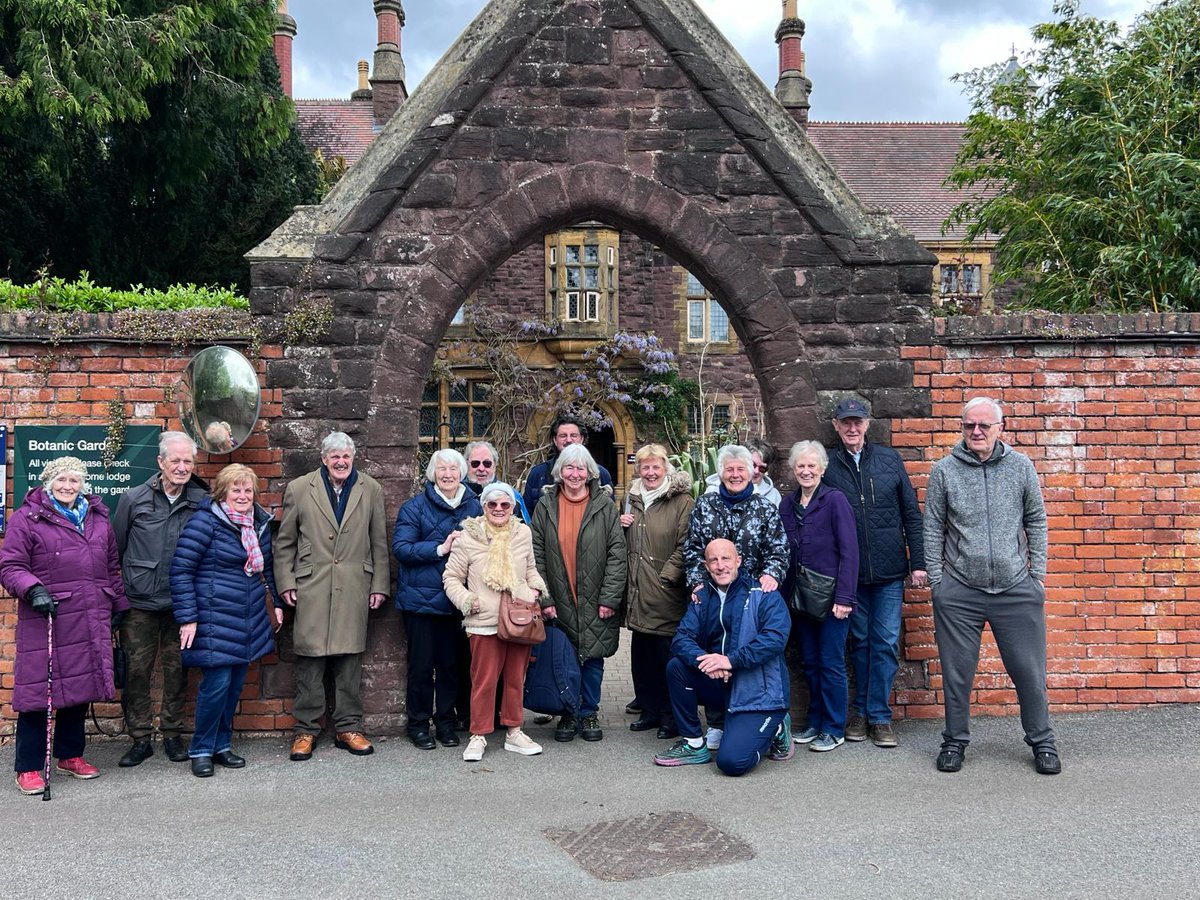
column 860, row 821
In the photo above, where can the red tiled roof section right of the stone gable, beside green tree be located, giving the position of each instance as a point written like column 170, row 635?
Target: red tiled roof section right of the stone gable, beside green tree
column 899, row 167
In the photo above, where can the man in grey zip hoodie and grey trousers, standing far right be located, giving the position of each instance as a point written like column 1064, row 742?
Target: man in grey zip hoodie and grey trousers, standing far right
column 986, row 547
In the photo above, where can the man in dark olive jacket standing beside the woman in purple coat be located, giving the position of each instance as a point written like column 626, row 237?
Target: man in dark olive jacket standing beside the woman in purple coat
column 149, row 520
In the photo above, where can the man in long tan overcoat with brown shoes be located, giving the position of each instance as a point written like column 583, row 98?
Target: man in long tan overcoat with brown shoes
column 332, row 565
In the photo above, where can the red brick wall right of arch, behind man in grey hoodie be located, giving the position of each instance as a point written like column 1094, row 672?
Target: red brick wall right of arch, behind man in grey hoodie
column 1105, row 407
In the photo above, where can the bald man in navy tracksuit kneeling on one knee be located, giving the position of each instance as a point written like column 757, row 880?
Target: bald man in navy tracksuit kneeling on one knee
column 729, row 655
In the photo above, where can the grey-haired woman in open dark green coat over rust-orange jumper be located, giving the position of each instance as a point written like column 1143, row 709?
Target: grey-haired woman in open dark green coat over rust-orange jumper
column 581, row 555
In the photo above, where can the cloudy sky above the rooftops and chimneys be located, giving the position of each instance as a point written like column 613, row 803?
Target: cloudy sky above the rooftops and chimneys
column 869, row 61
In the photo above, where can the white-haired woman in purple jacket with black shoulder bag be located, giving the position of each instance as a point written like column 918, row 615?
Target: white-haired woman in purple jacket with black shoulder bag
column 823, row 537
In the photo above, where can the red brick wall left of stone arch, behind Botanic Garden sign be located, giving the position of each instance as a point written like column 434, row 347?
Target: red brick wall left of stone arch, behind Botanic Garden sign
column 73, row 382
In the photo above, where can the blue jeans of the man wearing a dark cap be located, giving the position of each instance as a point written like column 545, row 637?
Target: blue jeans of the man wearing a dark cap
column 875, row 649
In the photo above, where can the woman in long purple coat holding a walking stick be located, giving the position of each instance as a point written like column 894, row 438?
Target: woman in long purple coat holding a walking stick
column 61, row 561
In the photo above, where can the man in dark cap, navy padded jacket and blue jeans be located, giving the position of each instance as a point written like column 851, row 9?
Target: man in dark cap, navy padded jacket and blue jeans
column 891, row 544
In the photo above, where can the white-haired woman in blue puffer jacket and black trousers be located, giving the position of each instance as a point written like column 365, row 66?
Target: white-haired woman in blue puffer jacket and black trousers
column 427, row 531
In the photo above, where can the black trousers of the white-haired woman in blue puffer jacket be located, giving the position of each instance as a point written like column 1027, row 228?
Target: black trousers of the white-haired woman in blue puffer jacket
column 434, row 649
